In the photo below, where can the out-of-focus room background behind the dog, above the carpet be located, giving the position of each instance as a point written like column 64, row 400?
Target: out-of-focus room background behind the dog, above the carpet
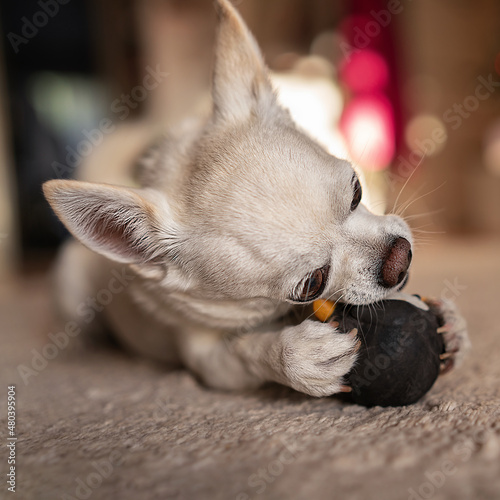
column 409, row 91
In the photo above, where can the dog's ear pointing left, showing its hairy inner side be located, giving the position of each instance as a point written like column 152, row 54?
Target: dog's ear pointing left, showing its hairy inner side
column 131, row 226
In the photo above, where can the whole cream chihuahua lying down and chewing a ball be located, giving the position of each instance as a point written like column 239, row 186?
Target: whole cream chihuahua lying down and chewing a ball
column 235, row 225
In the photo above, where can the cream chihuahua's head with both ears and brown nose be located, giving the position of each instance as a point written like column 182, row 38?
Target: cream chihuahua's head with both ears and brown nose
column 259, row 209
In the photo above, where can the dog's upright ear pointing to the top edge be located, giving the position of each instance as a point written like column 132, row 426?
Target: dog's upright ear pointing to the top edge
column 240, row 82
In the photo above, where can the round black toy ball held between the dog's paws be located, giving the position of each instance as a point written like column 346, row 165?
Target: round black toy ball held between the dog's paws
column 399, row 357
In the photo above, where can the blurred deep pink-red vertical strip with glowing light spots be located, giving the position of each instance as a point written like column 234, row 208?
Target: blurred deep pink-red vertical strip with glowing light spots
column 371, row 122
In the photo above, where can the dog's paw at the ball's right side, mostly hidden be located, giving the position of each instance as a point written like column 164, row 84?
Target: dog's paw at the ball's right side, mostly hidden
column 454, row 331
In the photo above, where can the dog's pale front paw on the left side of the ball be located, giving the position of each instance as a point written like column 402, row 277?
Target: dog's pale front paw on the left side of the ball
column 315, row 356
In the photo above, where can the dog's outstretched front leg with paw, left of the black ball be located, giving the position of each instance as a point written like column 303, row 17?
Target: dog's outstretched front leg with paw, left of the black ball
column 311, row 357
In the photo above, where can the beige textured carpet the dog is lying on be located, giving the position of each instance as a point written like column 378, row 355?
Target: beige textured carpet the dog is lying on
column 102, row 425
